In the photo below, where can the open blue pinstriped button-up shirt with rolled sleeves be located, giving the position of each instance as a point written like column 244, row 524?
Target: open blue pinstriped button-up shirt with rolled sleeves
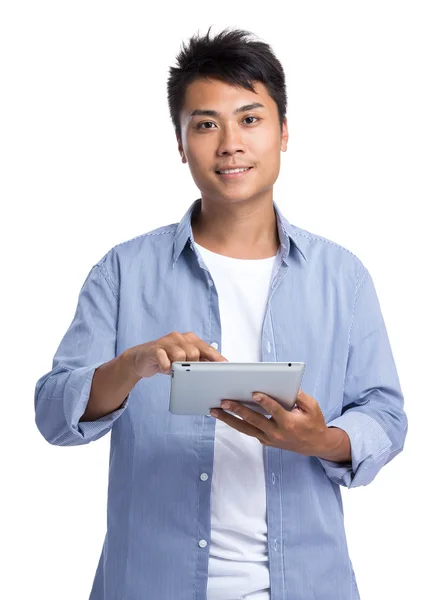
column 323, row 310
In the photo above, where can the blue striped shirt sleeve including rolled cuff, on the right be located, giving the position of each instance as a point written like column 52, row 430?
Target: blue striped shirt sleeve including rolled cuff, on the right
column 372, row 414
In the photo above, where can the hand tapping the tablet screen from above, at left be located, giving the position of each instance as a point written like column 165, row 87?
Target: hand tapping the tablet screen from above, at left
column 156, row 357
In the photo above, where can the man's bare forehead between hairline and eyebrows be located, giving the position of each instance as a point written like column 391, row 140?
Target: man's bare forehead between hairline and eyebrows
column 214, row 94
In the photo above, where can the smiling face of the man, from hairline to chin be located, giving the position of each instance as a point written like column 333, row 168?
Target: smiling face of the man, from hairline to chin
column 224, row 138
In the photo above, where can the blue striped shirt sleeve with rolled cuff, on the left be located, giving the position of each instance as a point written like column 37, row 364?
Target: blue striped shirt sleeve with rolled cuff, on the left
column 62, row 394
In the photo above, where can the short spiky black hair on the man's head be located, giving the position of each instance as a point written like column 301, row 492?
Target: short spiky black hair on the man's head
column 229, row 57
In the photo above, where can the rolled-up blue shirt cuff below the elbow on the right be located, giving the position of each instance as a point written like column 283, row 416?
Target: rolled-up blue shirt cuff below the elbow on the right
column 370, row 449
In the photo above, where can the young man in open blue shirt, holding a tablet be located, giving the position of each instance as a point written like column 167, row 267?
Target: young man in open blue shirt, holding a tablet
column 238, row 506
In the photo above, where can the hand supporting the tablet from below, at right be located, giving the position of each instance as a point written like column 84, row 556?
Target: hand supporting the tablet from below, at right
column 302, row 430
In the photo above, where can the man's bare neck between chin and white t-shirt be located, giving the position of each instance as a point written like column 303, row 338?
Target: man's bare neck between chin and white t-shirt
column 238, row 230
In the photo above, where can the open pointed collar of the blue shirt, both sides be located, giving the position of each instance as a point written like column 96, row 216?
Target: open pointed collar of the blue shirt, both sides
column 286, row 232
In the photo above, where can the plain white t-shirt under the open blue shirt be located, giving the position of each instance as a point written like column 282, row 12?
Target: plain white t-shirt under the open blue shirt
column 238, row 557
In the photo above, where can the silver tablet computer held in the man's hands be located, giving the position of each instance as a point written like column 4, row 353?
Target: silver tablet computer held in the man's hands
column 196, row 387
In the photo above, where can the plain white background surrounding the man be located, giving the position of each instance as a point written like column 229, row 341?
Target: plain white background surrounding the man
column 89, row 159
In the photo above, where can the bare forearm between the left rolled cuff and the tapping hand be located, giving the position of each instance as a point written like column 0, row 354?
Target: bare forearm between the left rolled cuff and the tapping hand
column 111, row 384
